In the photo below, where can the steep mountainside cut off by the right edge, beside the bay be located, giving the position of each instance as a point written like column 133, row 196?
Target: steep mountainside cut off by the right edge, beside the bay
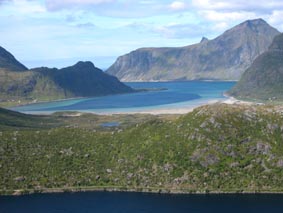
column 263, row 80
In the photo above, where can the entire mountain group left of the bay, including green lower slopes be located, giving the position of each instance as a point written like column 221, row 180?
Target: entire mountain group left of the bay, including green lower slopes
column 18, row 84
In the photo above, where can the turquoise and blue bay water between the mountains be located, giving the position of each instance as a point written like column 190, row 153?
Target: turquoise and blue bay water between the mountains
column 176, row 95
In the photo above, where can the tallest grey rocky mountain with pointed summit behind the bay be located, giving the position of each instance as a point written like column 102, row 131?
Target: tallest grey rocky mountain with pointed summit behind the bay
column 223, row 58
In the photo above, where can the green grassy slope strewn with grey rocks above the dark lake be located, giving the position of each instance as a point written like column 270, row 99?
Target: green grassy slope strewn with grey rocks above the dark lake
column 214, row 148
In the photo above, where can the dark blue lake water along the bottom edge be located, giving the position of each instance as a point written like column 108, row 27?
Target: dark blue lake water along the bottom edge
column 115, row 202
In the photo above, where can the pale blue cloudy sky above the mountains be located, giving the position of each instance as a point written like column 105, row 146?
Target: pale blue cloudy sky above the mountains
column 58, row 33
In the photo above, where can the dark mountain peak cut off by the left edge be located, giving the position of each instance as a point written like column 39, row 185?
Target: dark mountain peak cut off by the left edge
column 8, row 61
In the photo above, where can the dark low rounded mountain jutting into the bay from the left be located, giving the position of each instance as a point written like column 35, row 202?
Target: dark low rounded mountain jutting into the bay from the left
column 80, row 80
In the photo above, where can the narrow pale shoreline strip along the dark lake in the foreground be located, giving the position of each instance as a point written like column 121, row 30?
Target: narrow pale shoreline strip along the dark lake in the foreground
column 151, row 190
